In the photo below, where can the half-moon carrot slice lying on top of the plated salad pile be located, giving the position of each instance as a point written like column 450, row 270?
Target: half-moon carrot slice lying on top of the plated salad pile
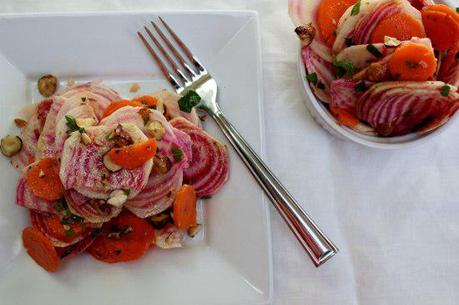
column 135, row 155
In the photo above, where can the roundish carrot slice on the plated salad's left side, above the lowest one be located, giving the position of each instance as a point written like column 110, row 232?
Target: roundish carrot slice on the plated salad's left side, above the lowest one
column 43, row 180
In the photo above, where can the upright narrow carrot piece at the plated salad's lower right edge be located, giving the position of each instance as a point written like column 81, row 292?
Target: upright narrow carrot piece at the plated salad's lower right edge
column 184, row 208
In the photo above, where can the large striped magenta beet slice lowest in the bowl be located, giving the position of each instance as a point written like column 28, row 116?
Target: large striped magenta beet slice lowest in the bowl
column 398, row 108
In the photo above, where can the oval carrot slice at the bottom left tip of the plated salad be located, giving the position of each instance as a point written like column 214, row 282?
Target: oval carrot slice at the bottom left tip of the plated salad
column 40, row 249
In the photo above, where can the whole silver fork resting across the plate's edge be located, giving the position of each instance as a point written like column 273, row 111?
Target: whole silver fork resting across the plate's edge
column 197, row 78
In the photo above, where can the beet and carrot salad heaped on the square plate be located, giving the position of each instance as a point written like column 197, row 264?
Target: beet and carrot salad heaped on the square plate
column 109, row 176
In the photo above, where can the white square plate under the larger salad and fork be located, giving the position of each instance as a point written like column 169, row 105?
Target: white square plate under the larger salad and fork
column 231, row 264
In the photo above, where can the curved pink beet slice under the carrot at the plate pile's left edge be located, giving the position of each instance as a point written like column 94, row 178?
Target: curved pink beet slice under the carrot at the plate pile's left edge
column 25, row 198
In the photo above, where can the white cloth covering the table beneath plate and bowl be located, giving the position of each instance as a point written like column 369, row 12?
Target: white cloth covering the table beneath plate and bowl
column 393, row 214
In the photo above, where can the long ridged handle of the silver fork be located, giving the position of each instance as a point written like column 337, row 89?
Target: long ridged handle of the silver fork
column 316, row 244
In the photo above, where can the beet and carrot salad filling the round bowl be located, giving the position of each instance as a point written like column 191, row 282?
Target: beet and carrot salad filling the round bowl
column 381, row 67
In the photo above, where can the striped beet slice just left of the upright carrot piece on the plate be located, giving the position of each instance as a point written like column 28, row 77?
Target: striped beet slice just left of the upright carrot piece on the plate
column 158, row 194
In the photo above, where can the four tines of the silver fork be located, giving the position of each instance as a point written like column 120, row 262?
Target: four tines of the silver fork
column 186, row 76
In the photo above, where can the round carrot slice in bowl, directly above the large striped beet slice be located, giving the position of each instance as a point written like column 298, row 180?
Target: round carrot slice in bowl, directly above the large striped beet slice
column 414, row 62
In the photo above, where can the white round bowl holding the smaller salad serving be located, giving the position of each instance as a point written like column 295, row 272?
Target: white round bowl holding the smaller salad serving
column 325, row 119
